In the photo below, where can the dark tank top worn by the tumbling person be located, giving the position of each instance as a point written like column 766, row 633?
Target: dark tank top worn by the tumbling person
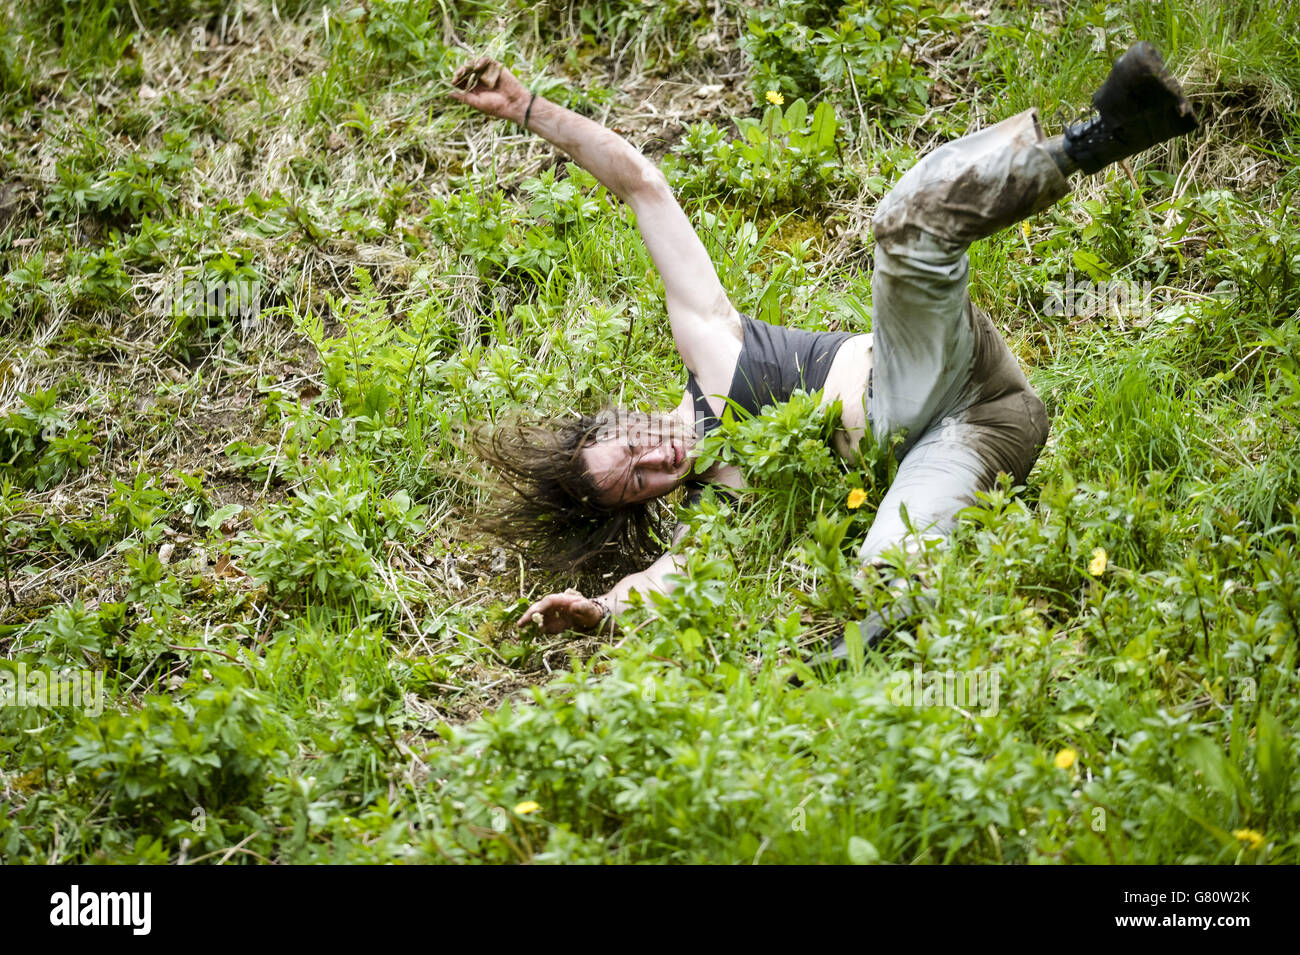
column 774, row 362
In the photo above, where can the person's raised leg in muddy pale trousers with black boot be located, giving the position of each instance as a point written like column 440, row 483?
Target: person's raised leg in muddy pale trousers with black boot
column 934, row 357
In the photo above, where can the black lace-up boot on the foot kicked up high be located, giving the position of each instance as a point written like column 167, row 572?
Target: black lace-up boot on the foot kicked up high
column 1139, row 106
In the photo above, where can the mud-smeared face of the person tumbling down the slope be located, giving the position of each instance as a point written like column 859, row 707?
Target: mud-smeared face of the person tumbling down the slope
column 644, row 457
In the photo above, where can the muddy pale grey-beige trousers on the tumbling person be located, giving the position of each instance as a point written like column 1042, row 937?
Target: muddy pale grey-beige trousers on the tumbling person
column 941, row 371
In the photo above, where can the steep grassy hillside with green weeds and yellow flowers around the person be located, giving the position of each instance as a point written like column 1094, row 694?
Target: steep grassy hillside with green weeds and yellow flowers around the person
column 259, row 277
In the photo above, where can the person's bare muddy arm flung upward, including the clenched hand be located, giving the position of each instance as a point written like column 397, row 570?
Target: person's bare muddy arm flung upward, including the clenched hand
column 705, row 324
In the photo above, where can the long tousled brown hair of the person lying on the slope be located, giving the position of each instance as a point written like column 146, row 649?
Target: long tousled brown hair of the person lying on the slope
column 556, row 515
